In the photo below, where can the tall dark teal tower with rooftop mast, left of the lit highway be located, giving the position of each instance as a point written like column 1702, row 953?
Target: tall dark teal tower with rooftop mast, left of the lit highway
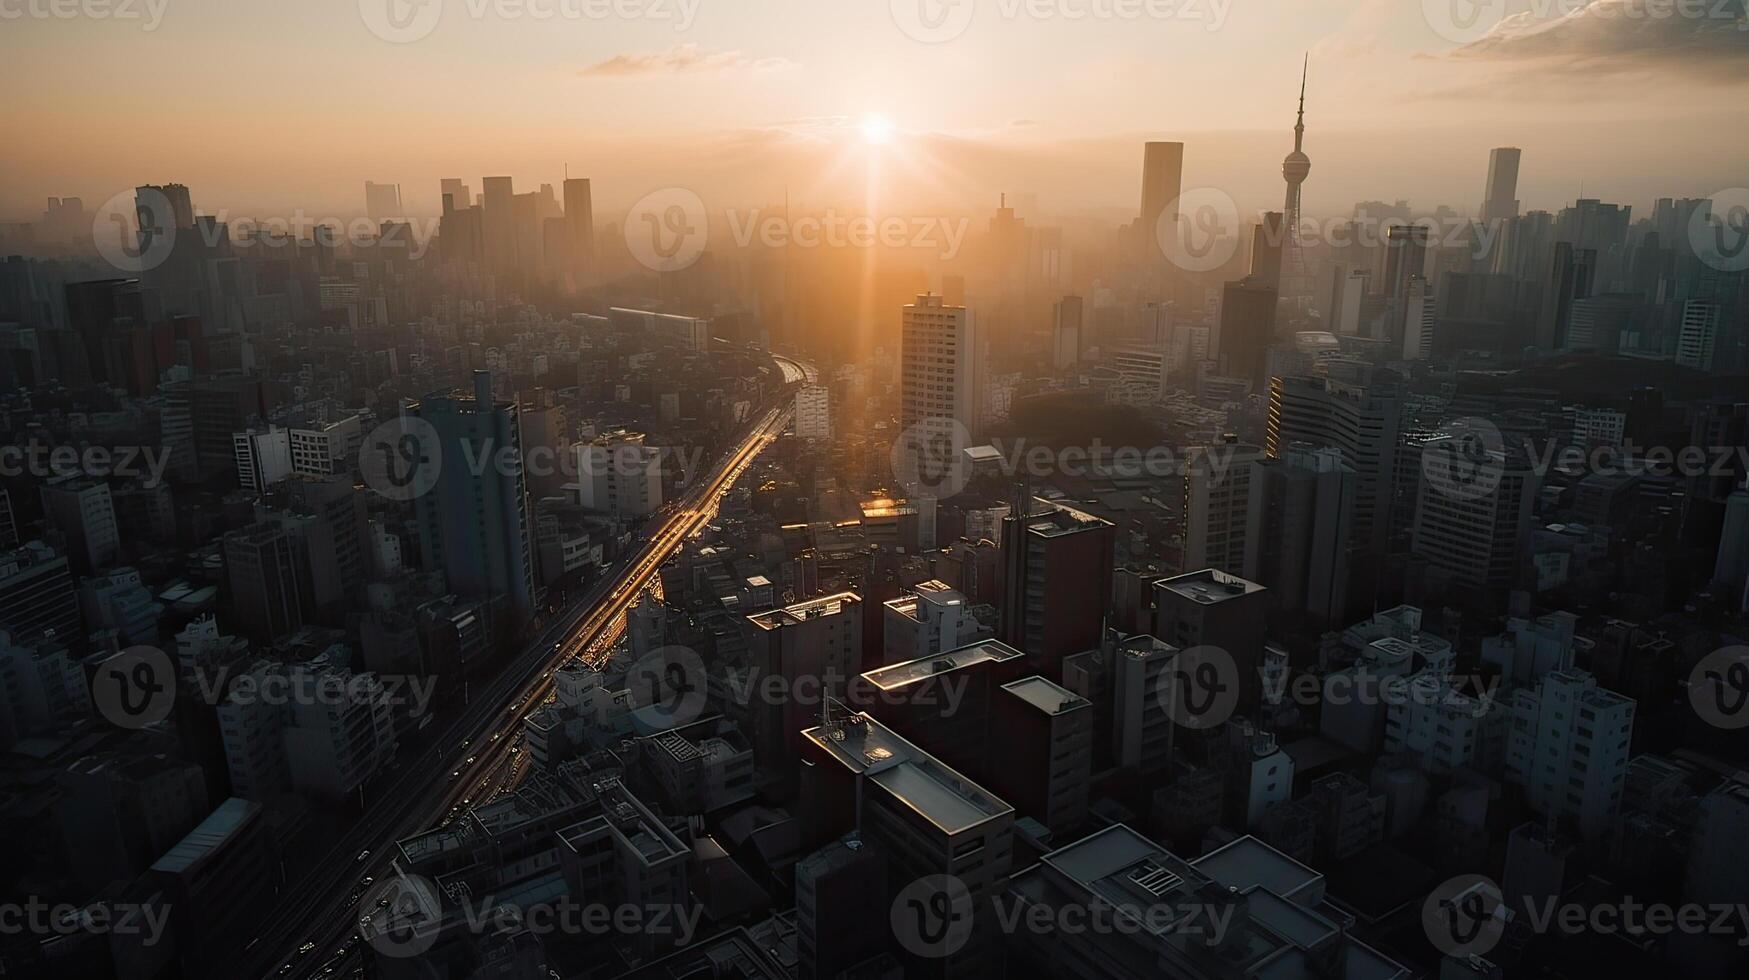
column 475, row 526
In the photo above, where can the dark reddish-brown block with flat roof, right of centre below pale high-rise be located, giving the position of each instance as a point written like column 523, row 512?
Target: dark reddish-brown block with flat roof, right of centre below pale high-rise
column 1057, row 584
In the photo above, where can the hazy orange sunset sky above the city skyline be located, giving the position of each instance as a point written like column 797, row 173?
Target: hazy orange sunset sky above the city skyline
column 267, row 106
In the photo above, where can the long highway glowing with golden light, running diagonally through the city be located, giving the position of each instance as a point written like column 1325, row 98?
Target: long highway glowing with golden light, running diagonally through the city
column 478, row 755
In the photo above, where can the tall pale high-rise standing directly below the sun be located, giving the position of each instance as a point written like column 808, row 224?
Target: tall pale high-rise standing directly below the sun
column 938, row 368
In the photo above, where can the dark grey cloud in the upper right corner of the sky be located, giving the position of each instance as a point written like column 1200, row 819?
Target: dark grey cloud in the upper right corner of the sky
column 1613, row 38
